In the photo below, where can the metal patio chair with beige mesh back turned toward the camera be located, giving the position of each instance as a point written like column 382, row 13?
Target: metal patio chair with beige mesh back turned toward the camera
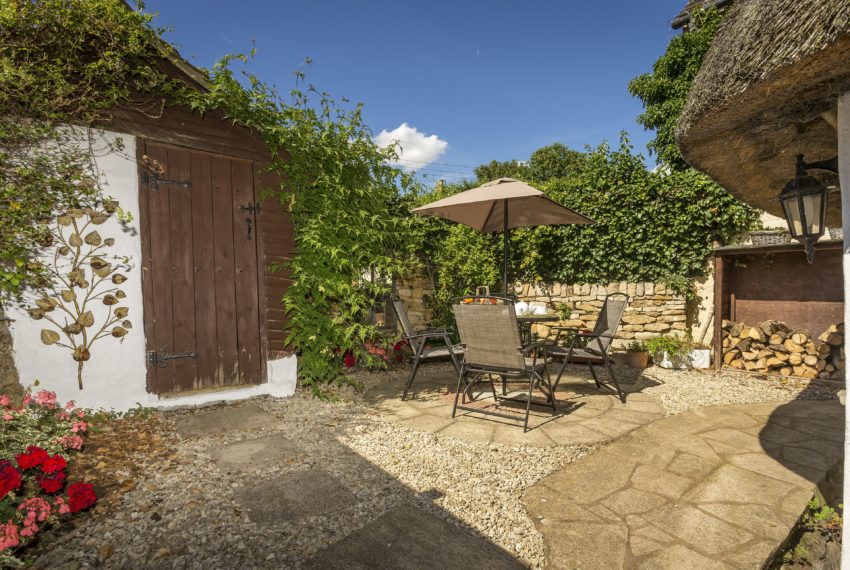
column 489, row 335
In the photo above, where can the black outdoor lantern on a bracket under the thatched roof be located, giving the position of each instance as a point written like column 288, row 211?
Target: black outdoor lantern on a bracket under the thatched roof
column 804, row 203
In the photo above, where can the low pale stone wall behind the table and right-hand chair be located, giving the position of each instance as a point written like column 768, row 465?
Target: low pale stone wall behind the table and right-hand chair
column 653, row 308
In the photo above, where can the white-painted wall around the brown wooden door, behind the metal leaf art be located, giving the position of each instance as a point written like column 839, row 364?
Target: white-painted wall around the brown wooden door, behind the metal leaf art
column 115, row 376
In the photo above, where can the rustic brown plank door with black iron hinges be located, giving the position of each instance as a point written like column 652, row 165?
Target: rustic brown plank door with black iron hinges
column 200, row 273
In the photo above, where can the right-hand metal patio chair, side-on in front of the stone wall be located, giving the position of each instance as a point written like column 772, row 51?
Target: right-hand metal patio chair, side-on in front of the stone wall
column 598, row 342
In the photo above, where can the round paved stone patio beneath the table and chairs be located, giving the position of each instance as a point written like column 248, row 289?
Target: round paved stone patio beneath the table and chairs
column 585, row 415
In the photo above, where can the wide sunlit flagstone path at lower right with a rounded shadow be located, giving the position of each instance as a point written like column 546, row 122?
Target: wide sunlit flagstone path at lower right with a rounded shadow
column 718, row 487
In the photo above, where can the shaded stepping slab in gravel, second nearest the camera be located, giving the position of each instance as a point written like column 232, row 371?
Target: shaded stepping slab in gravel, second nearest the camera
column 296, row 496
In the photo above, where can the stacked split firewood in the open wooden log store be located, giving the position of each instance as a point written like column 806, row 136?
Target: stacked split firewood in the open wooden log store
column 772, row 347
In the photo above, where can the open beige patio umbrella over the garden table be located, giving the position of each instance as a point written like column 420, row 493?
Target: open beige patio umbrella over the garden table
column 501, row 205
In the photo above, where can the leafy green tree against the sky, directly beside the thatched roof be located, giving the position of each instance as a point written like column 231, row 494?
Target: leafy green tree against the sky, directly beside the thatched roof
column 665, row 90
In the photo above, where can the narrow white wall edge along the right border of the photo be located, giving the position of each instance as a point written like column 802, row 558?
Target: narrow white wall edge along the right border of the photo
column 844, row 181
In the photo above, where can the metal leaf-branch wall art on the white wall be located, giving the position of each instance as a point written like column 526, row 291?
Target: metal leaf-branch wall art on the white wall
column 81, row 275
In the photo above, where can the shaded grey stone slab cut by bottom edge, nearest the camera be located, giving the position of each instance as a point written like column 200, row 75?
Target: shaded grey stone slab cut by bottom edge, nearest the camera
column 409, row 537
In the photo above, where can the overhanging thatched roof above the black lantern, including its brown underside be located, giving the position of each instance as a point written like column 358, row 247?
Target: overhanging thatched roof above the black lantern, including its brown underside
column 766, row 91
